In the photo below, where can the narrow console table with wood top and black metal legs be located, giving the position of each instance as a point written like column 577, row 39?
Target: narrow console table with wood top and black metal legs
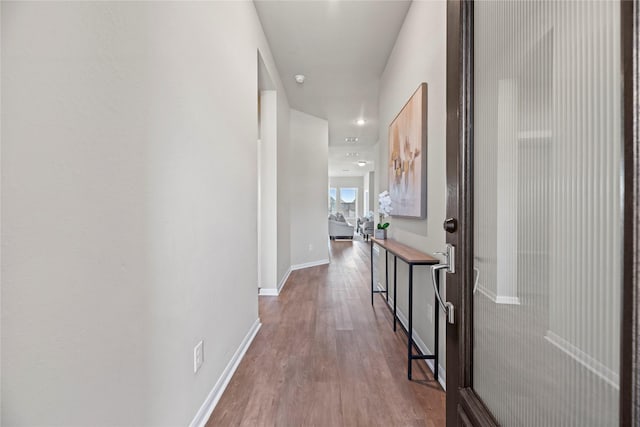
column 412, row 257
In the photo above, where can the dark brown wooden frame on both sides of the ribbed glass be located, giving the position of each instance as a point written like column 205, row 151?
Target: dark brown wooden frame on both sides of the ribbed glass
column 464, row 407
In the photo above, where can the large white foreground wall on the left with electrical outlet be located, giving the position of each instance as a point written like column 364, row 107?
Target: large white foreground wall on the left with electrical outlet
column 128, row 128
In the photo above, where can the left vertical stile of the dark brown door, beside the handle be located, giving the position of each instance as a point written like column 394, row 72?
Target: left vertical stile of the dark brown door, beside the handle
column 464, row 407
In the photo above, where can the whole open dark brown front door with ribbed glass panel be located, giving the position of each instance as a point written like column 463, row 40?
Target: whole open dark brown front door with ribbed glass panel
column 542, row 172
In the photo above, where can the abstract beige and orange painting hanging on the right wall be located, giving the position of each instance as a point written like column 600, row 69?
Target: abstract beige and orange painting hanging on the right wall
column 408, row 158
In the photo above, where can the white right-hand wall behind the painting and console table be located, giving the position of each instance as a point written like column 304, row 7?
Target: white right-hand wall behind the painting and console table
column 419, row 55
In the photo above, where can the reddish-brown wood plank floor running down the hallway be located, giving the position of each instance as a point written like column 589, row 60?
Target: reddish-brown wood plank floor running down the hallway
column 325, row 357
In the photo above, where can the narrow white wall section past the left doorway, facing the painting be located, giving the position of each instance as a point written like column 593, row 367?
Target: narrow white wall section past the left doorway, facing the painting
column 309, row 140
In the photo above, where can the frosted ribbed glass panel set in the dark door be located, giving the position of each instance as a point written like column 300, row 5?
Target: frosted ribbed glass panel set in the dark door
column 547, row 218
